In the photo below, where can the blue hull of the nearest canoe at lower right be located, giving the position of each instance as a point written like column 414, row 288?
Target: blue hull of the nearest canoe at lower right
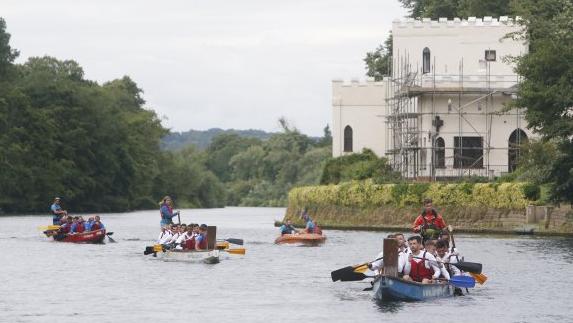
column 392, row 288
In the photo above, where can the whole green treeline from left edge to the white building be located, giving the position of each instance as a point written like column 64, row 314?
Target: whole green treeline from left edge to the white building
column 98, row 148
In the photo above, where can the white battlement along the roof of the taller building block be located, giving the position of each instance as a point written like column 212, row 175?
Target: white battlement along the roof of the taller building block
column 503, row 21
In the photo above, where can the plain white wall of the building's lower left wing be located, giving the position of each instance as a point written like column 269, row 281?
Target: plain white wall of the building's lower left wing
column 362, row 106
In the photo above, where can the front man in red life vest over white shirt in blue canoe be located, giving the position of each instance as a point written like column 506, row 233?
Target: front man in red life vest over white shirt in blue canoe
column 423, row 265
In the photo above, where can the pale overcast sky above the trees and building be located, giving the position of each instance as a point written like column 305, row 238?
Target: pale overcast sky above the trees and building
column 202, row 64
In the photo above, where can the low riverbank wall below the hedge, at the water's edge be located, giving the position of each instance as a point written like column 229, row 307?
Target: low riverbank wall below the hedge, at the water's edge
column 538, row 220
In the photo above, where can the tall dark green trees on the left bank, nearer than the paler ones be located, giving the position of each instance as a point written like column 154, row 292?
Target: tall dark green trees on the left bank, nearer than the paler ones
column 94, row 145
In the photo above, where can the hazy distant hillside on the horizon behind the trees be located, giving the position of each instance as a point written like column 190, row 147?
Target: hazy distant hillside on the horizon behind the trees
column 202, row 139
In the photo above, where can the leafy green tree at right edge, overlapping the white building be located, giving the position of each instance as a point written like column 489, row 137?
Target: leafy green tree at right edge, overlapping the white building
column 546, row 91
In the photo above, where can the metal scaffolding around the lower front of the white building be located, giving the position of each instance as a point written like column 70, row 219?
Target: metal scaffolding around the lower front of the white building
column 414, row 119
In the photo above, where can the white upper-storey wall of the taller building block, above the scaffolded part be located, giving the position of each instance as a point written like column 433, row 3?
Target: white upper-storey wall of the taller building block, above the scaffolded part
column 451, row 41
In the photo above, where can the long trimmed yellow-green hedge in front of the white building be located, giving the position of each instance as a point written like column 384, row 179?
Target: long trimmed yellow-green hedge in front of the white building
column 363, row 194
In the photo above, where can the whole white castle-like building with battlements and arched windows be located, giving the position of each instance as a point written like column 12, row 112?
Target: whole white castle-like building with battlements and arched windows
column 441, row 113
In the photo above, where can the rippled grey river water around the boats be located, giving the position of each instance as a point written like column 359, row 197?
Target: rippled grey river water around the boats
column 47, row 281
